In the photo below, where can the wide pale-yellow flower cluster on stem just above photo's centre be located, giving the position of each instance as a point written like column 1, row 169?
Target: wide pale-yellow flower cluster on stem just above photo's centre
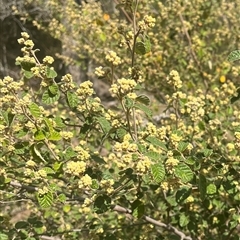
column 122, row 87
